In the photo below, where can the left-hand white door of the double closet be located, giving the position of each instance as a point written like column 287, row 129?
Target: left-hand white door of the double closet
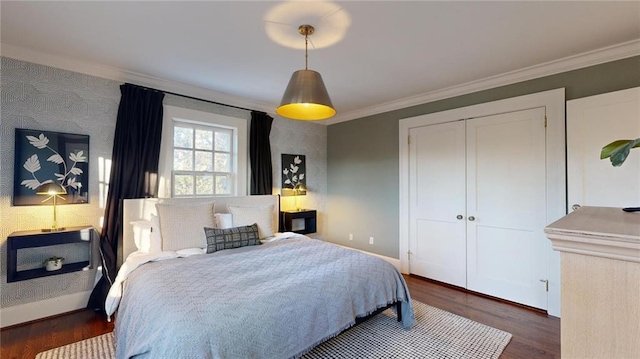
column 437, row 202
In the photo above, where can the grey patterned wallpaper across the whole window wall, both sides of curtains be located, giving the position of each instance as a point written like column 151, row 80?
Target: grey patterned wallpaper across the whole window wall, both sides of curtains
column 45, row 98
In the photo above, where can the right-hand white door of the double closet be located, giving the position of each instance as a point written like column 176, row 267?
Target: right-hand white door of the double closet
column 506, row 206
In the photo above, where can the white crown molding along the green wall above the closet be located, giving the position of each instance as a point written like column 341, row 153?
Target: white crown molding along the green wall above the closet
column 586, row 59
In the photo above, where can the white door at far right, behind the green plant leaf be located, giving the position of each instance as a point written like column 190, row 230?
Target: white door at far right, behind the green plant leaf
column 592, row 123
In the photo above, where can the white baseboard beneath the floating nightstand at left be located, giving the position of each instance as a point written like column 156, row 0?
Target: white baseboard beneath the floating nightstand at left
column 42, row 309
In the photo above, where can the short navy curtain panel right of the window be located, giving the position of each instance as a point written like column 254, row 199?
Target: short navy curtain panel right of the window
column 260, row 153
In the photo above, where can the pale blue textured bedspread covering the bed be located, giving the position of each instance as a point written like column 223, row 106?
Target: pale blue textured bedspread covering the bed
column 276, row 300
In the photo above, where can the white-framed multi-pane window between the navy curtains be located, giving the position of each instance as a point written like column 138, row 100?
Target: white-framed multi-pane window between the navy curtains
column 203, row 154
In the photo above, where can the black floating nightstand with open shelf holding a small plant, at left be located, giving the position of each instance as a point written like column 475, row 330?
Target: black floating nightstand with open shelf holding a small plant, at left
column 24, row 240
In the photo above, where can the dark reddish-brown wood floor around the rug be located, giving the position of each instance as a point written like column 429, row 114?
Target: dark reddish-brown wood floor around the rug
column 535, row 335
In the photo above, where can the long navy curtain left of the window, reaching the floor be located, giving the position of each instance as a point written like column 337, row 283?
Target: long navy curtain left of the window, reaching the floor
column 134, row 173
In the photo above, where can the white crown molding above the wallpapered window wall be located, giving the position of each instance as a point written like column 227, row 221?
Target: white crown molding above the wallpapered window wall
column 116, row 74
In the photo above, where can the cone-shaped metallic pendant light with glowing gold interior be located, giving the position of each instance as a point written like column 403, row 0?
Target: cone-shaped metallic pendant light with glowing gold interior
column 306, row 98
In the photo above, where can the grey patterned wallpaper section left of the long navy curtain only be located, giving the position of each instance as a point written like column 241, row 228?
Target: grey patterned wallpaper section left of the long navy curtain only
column 45, row 98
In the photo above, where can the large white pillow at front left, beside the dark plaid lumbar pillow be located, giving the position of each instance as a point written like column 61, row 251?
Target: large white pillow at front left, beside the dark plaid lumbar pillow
column 182, row 225
